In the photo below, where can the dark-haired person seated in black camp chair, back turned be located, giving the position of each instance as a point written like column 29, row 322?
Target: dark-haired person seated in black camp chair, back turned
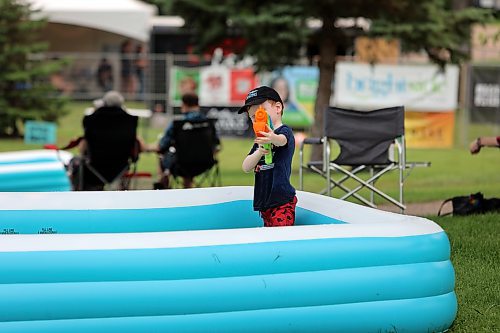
column 190, row 110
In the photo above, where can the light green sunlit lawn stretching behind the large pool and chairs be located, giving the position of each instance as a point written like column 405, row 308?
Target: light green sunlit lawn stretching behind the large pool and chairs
column 453, row 171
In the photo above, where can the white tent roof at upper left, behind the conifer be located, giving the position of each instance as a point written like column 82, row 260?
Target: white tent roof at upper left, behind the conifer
column 130, row 18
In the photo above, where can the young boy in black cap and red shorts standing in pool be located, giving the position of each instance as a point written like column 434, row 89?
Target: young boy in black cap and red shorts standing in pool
column 274, row 196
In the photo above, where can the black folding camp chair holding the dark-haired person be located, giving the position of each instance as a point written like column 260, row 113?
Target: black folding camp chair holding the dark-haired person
column 195, row 142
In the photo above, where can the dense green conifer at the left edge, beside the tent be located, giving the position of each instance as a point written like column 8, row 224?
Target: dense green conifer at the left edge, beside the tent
column 25, row 89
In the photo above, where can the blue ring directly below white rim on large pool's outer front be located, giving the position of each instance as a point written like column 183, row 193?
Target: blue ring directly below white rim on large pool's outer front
column 221, row 260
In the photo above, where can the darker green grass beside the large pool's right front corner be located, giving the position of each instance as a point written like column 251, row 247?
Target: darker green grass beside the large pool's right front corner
column 475, row 254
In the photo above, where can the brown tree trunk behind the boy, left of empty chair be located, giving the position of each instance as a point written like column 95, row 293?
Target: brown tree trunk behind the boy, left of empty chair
column 327, row 53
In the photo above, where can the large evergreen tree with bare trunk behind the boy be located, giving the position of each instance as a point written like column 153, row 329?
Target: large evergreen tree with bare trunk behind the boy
column 276, row 32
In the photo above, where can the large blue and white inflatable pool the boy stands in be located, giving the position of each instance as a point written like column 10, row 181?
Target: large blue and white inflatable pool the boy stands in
column 200, row 261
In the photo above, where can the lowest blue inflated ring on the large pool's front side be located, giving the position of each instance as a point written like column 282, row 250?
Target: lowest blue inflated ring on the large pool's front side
column 426, row 314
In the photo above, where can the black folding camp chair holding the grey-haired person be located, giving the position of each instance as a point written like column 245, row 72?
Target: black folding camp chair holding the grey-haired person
column 112, row 150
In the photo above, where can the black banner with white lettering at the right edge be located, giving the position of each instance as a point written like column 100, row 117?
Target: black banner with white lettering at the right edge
column 484, row 94
